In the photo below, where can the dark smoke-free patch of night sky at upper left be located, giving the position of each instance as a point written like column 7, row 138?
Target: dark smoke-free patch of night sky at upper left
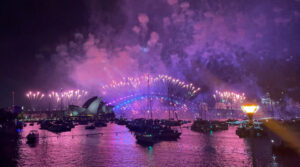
column 28, row 28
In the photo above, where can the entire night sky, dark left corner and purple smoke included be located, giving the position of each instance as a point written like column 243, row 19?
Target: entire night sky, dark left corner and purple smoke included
column 249, row 45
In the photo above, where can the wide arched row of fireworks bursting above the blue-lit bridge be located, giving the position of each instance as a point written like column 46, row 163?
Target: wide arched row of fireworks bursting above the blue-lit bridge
column 161, row 83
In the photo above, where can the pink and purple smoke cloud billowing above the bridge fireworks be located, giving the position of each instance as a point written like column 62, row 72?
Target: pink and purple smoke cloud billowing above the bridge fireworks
column 213, row 44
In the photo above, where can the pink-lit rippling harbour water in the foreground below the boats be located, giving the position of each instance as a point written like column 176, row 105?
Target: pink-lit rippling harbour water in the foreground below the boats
column 117, row 147
